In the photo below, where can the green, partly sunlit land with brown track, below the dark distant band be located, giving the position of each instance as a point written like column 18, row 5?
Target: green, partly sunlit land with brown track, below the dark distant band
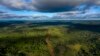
column 48, row 41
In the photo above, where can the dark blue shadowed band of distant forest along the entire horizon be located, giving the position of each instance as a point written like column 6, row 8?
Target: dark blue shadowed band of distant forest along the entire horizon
column 70, row 25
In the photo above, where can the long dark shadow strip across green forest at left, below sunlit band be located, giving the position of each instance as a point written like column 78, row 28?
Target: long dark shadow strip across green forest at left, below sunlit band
column 22, row 40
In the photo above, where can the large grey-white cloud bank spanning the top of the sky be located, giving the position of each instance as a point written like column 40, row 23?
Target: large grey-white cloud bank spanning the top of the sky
column 45, row 5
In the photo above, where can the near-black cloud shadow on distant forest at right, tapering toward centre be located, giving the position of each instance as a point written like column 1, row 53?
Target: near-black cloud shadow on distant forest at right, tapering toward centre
column 72, row 26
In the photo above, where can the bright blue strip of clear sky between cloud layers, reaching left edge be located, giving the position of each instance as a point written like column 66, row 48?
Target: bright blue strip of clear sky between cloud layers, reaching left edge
column 23, row 12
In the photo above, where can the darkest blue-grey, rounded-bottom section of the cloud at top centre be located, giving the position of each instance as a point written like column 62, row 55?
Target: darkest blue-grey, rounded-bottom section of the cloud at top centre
column 57, row 5
